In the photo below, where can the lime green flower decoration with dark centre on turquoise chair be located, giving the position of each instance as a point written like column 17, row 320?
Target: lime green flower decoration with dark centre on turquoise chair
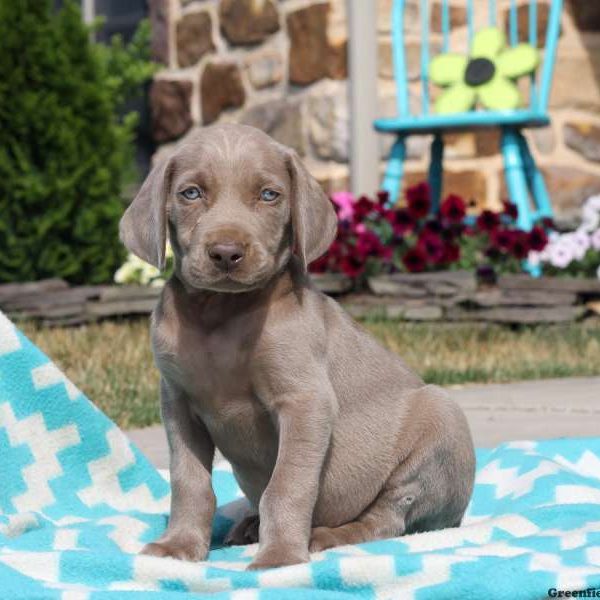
column 487, row 76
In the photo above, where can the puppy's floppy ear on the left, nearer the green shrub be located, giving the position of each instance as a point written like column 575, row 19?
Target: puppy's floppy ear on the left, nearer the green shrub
column 143, row 227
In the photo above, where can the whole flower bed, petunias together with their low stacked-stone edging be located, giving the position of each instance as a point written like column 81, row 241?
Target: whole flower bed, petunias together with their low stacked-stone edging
column 395, row 262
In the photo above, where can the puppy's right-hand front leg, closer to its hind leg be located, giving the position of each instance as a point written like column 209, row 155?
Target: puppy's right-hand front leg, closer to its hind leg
column 287, row 504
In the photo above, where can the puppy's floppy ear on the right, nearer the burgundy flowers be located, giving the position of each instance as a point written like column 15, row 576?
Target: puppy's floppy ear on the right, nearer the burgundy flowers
column 314, row 222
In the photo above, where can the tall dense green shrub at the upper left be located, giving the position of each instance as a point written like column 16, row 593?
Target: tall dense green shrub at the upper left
column 65, row 149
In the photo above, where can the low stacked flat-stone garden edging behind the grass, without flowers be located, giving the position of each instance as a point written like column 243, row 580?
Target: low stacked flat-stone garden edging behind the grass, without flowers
column 437, row 296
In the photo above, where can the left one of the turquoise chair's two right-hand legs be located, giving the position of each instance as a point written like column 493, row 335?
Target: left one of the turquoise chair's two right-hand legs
column 516, row 182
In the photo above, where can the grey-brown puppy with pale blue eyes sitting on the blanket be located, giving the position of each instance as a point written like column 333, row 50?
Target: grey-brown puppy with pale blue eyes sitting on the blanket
column 332, row 438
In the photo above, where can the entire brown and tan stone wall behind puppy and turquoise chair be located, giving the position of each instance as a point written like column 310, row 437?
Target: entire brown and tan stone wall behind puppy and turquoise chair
column 281, row 66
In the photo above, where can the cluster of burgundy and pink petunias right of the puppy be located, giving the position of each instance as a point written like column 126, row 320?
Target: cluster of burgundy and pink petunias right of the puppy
column 376, row 239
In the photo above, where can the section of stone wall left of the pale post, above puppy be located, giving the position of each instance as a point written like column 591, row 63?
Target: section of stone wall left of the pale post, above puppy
column 279, row 66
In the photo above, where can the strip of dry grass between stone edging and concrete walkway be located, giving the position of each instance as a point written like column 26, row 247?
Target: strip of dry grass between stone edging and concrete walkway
column 111, row 361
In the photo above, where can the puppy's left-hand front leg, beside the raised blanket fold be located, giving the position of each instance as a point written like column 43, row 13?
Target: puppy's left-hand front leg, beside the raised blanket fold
column 193, row 502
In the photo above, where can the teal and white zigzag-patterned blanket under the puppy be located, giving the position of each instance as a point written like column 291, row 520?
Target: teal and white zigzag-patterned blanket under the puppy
column 77, row 502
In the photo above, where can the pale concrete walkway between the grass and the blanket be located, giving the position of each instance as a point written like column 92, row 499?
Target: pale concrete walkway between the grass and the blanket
column 497, row 413
